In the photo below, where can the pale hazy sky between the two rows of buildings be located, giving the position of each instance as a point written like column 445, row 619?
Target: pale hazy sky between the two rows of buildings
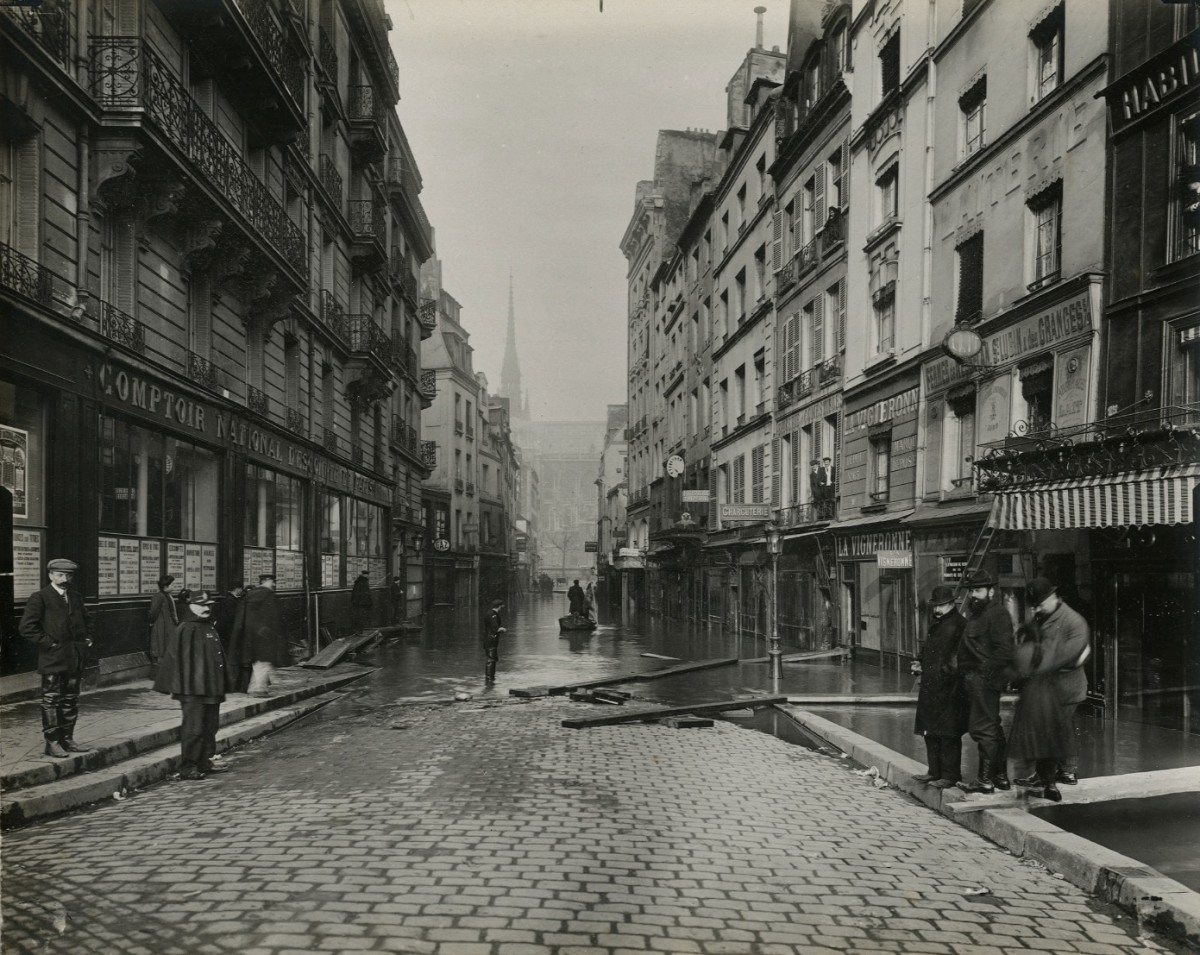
column 532, row 123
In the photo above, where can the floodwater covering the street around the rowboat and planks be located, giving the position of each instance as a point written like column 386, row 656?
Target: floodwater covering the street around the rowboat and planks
column 446, row 658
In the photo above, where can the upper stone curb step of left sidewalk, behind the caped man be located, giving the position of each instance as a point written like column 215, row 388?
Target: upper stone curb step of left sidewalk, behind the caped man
column 160, row 734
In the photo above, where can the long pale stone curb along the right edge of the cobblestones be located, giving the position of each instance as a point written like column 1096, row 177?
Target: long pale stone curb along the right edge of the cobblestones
column 1162, row 904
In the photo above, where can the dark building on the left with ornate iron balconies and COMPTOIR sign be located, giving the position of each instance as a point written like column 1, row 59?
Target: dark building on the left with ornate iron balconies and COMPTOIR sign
column 212, row 274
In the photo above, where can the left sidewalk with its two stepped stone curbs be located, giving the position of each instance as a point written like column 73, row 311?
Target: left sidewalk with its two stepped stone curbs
column 134, row 735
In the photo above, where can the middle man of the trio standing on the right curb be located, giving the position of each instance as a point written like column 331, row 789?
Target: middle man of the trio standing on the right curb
column 986, row 662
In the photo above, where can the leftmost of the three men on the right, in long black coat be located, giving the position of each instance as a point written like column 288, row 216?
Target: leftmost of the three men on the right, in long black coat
column 941, row 708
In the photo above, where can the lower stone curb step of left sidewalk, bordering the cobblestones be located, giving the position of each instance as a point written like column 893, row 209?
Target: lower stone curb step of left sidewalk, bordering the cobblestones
column 75, row 792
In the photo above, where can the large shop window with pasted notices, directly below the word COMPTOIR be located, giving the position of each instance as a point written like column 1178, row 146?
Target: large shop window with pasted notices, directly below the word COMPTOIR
column 158, row 510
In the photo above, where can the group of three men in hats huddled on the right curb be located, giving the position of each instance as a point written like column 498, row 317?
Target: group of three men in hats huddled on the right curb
column 965, row 665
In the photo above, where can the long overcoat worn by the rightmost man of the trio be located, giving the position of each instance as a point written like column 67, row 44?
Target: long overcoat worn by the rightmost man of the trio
column 1041, row 725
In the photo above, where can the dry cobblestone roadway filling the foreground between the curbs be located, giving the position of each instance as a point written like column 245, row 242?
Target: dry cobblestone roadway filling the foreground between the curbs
column 489, row 830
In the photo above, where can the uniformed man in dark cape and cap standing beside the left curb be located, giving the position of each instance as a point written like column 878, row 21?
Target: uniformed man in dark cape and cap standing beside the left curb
column 194, row 671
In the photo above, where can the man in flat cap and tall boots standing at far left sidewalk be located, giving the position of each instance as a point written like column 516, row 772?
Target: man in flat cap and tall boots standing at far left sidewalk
column 58, row 622
